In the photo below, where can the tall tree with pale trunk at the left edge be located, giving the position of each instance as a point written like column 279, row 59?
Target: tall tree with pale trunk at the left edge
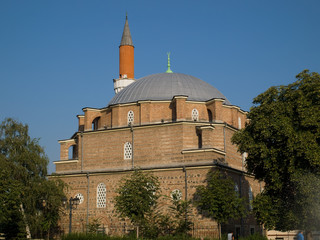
column 29, row 203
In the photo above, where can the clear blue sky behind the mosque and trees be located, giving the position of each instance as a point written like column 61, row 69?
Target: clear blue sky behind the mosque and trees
column 57, row 57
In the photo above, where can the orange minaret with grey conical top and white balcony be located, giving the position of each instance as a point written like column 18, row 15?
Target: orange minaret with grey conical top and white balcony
column 126, row 60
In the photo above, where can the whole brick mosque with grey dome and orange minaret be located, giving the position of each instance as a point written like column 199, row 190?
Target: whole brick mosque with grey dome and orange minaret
column 171, row 124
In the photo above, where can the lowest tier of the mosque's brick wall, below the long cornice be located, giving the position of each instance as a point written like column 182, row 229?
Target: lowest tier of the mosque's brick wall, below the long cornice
column 170, row 179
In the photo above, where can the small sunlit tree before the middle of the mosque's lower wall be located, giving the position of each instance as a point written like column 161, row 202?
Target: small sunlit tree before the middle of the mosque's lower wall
column 137, row 197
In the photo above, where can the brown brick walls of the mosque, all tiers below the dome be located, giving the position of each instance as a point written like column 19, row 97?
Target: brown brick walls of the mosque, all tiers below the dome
column 165, row 138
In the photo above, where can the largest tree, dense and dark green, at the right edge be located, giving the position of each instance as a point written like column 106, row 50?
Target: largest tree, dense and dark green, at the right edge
column 282, row 141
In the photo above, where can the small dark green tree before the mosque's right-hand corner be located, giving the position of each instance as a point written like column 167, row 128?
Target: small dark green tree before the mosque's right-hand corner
column 218, row 199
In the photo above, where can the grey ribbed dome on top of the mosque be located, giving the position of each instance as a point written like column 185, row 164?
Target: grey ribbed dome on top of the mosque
column 164, row 86
